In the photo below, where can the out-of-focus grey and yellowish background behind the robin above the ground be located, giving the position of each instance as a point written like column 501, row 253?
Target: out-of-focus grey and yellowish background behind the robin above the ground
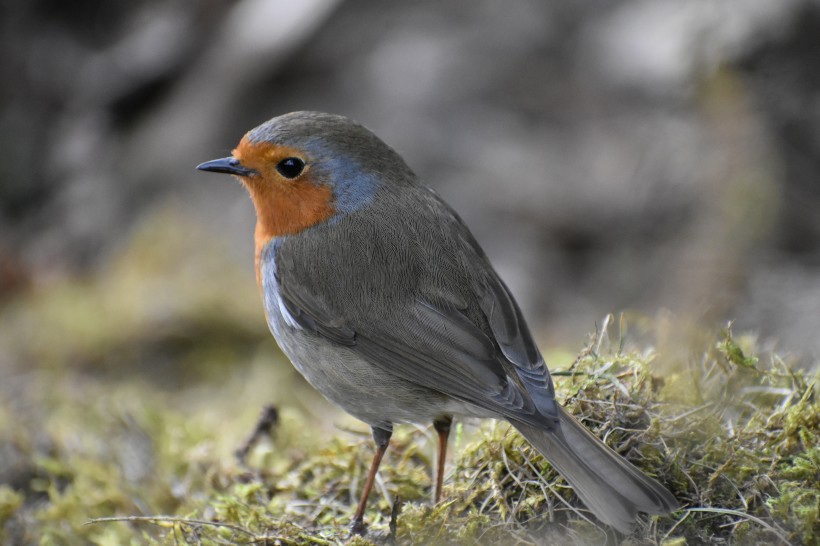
column 649, row 155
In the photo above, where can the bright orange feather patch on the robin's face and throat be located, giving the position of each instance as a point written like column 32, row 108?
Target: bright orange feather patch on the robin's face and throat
column 283, row 206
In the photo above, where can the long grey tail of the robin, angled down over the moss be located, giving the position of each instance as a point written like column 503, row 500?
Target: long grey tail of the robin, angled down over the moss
column 612, row 488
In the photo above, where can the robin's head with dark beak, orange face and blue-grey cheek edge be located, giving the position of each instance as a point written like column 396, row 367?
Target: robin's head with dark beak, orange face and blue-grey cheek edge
column 306, row 168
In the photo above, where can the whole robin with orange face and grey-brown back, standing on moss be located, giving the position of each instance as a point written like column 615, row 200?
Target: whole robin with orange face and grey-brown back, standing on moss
column 382, row 298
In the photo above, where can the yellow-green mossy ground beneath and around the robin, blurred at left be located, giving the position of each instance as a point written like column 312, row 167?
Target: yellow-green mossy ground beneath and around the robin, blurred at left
column 119, row 420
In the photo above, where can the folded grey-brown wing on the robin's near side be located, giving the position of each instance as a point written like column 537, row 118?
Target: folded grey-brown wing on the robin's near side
column 439, row 347
